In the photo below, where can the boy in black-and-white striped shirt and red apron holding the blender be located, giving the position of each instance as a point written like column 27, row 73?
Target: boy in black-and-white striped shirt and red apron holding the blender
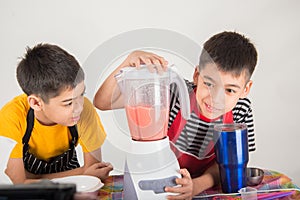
column 218, row 94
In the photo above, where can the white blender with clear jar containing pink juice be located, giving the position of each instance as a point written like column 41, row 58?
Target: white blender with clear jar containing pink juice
column 150, row 164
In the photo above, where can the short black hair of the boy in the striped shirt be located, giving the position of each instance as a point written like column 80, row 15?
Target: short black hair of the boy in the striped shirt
column 231, row 52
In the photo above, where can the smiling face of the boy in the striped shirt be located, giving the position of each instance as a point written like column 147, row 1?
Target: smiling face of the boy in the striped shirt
column 218, row 92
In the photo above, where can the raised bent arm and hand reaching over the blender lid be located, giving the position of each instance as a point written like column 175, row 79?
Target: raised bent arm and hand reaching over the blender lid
column 108, row 95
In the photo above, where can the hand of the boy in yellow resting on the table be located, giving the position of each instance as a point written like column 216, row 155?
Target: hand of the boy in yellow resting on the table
column 100, row 170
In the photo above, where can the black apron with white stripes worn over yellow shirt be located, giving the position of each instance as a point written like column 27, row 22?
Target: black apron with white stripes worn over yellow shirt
column 66, row 161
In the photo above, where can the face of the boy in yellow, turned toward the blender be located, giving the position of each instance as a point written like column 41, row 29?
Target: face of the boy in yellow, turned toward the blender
column 64, row 109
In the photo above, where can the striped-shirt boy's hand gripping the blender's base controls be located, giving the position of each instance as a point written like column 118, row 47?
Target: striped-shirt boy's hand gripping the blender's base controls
column 186, row 189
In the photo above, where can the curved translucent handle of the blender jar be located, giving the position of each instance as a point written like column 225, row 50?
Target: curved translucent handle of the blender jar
column 184, row 96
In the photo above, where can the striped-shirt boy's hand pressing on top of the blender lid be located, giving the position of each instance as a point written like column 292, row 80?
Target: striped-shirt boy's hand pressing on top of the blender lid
column 151, row 60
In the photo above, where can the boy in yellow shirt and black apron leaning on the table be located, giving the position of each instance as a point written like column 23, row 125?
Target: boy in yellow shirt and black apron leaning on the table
column 51, row 118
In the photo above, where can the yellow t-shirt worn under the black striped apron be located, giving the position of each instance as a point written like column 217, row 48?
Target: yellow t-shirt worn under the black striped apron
column 49, row 141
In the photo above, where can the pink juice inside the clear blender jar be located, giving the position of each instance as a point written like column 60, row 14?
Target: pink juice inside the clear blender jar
column 147, row 123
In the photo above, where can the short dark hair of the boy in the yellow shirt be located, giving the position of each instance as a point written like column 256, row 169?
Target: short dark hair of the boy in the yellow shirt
column 46, row 70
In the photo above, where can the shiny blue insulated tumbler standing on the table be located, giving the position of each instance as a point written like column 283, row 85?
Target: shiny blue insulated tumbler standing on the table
column 231, row 149
